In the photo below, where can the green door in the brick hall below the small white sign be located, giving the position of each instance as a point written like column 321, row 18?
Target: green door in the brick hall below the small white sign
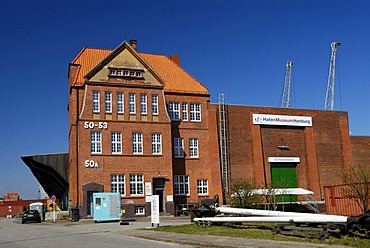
column 284, row 175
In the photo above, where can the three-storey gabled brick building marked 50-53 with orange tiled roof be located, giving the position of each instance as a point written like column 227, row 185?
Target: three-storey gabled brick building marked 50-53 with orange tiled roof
column 139, row 125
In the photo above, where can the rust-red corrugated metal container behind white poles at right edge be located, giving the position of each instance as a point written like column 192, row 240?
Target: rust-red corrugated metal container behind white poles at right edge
column 336, row 202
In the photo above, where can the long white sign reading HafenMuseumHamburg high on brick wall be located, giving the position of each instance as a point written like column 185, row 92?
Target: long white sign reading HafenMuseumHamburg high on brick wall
column 282, row 120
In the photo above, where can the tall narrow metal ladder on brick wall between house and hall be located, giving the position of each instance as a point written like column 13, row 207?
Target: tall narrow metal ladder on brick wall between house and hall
column 223, row 140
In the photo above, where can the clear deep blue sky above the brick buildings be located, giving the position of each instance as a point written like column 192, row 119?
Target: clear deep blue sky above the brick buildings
column 239, row 48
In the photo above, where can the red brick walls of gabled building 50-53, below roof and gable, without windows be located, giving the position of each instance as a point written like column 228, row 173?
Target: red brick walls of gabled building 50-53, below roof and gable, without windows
column 150, row 166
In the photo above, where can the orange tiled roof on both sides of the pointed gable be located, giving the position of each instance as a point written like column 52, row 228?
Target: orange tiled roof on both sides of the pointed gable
column 176, row 79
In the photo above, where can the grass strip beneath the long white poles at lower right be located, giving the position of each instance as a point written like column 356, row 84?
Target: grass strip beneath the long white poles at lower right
column 248, row 231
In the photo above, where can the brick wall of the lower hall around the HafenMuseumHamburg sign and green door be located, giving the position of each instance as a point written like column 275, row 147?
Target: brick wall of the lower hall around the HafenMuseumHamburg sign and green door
column 323, row 148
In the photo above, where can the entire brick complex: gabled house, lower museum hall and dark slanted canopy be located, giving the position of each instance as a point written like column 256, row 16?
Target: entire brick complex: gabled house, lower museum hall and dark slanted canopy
column 141, row 125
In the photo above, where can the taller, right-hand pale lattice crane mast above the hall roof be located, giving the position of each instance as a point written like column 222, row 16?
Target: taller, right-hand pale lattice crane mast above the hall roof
column 329, row 99
